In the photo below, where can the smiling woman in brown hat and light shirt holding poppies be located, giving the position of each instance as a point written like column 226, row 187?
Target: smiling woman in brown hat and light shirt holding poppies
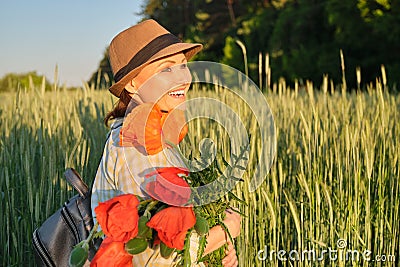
column 136, row 55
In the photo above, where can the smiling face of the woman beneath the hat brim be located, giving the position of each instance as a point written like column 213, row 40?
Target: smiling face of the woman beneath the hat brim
column 169, row 87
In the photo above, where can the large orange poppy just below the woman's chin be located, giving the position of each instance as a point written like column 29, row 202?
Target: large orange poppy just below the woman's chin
column 148, row 128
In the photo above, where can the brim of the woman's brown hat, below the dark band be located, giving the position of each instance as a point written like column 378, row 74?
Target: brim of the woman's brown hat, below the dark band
column 188, row 49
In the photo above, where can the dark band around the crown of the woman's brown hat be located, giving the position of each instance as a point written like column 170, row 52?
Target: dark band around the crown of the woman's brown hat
column 146, row 53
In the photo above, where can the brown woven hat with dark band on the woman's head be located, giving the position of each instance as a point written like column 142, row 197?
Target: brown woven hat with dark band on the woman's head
column 134, row 48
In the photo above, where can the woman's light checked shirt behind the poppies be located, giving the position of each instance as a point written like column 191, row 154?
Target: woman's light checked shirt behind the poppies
column 122, row 171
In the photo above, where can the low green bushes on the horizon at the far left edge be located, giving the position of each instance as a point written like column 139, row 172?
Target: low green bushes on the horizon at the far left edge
column 25, row 81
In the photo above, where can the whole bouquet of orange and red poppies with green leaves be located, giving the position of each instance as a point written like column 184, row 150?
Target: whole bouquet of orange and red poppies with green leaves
column 174, row 209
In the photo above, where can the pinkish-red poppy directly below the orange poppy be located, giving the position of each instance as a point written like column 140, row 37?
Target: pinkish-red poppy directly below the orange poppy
column 168, row 186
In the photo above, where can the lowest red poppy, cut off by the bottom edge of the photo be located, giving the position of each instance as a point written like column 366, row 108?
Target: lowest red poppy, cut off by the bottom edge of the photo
column 111, row 253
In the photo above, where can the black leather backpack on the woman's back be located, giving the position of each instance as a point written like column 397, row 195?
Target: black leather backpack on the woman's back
column 54, row 240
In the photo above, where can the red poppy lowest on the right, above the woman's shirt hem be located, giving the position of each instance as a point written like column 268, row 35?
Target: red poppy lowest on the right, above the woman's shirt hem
column 172, row 224
